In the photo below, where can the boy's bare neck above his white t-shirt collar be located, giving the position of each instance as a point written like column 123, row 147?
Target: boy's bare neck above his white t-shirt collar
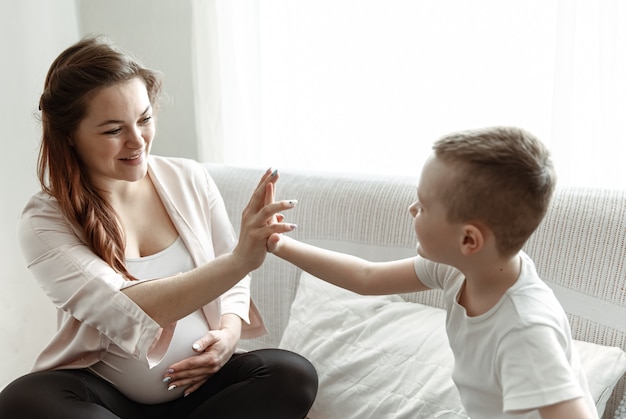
column 486, row 283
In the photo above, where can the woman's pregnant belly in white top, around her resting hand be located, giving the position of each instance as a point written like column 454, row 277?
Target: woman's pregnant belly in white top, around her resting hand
column 142, row 384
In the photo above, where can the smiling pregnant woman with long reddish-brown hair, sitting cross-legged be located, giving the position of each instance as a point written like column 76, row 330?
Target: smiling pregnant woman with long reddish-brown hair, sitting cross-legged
column 138, row 255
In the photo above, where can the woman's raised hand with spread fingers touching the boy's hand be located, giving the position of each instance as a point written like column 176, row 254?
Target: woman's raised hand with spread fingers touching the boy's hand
column 260, row 220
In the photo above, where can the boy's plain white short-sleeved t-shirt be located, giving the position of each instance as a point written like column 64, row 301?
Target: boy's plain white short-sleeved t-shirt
column 518, row 356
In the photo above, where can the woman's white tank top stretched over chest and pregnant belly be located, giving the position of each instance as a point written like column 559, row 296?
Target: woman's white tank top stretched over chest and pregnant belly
column 132, row 376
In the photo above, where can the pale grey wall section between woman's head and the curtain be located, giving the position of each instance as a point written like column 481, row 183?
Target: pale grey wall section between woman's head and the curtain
column 158, row 33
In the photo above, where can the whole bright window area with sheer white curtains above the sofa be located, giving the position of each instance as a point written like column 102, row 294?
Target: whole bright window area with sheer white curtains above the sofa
column 367, row 85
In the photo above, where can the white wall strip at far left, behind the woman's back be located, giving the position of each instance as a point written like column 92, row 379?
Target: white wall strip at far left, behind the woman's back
column 32, row 33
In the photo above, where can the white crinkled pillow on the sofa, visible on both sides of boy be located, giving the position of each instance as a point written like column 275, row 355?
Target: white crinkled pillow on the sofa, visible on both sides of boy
column 383, row 357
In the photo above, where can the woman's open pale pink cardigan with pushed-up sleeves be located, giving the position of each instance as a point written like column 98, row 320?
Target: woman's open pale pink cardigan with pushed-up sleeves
column 92, row 312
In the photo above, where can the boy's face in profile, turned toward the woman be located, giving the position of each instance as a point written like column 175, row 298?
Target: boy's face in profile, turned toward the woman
column 436, row 236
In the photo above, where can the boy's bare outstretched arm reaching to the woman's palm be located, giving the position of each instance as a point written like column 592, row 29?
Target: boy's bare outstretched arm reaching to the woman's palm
column 347, row 271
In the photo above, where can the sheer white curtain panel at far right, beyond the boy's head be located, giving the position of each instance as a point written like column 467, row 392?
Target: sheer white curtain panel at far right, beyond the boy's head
column 588, row 123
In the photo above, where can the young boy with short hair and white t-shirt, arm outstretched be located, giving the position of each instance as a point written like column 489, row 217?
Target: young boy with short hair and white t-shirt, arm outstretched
column 480, row 196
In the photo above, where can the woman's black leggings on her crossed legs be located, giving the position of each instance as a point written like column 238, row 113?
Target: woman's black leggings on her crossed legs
column 268, row 383
